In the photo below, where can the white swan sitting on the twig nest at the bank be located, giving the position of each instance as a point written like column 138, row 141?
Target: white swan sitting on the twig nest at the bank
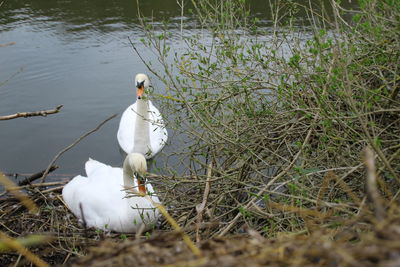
column 103, row 199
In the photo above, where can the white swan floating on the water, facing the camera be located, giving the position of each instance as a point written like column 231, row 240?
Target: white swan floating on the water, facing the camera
column 142, row 129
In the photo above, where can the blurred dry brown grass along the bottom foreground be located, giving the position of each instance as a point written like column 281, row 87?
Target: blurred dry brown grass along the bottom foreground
column 344, row 247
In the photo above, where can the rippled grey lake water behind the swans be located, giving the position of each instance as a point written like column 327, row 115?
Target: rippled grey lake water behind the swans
column 76, row 53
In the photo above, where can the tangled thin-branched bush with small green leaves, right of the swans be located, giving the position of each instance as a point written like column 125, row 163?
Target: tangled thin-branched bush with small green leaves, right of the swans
column 281, row 122
